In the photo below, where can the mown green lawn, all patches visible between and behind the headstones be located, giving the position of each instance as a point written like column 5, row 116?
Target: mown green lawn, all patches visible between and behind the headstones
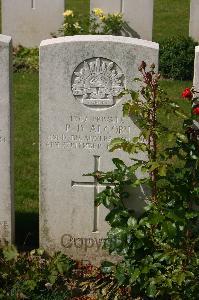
column 171, row 18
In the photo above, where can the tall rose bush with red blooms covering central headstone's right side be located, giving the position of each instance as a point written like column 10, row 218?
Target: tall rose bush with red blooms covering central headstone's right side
column 159, row 247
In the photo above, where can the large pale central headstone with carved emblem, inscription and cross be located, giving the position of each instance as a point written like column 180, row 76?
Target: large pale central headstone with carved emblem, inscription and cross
column 80, row 112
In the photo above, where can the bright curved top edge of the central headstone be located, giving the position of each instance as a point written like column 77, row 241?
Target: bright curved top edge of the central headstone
column 100, row 38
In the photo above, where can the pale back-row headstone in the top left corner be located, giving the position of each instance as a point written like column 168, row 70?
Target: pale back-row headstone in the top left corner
column 28, row 22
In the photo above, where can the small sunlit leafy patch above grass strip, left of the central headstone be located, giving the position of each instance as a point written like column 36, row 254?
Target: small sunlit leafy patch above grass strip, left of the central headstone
column 25, row 59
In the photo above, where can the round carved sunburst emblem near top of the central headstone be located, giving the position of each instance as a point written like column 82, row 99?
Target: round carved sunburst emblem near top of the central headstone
column 97, row 83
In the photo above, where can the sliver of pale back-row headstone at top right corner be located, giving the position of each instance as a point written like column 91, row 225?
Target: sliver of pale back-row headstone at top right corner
column 193, row 22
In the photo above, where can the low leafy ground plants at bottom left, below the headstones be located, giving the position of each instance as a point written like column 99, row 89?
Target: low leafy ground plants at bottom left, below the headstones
column 37, row 276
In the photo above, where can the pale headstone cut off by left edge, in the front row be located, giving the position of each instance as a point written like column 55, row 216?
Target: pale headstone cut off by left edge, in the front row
column 6, row 139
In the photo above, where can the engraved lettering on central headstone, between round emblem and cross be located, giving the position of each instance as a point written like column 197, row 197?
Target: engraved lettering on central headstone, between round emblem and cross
column 89, row 133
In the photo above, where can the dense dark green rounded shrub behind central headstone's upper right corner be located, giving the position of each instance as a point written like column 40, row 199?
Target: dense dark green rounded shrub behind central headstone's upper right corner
column 177, row 58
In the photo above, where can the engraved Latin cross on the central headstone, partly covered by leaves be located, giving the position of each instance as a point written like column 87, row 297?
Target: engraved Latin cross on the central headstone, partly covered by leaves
column 96, row 185
